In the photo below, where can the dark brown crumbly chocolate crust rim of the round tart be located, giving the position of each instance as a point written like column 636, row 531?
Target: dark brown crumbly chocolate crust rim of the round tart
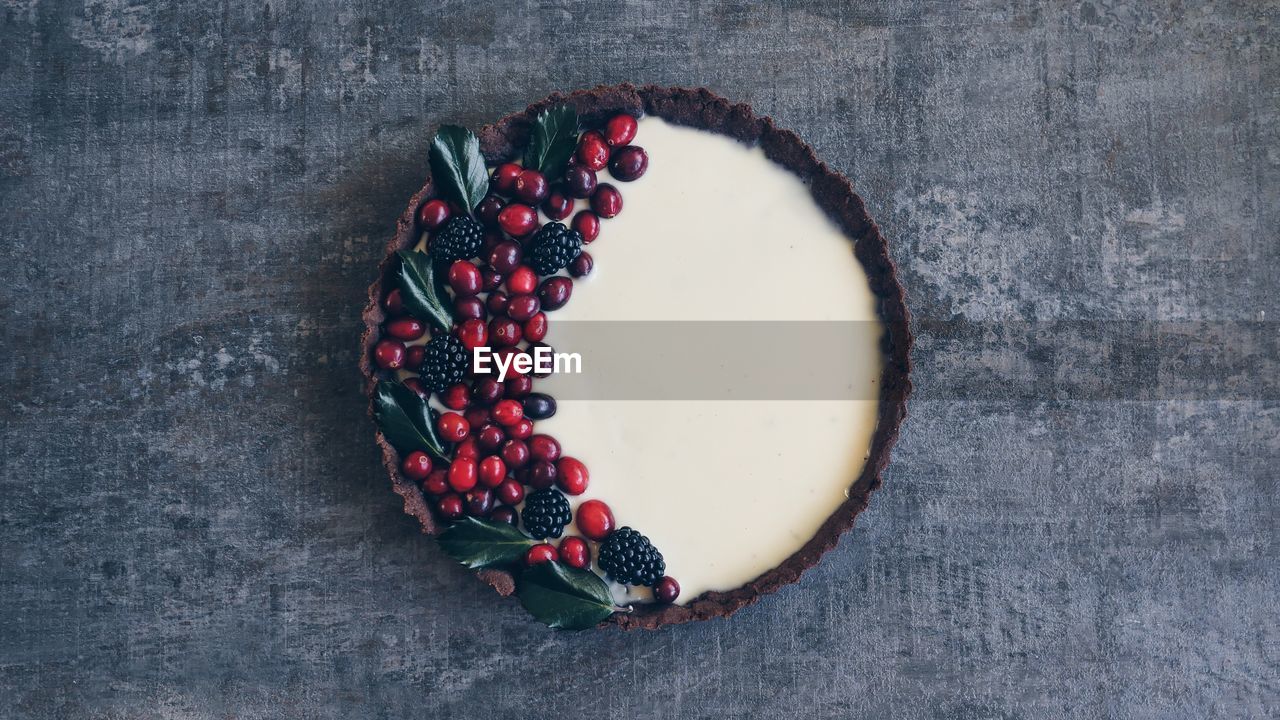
column 698, row 108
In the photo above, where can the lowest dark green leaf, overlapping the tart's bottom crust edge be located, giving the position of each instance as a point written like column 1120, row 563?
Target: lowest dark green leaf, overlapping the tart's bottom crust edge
column 565, row 598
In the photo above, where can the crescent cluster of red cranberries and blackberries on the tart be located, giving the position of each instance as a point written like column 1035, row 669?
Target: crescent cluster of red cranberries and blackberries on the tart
column 502, row 271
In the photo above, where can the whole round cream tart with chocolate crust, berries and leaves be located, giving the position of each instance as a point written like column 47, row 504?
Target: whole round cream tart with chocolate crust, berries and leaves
column 592, row 211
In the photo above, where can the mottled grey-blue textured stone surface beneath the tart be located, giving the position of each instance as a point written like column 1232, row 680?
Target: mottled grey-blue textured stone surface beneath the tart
column 193, row 518
